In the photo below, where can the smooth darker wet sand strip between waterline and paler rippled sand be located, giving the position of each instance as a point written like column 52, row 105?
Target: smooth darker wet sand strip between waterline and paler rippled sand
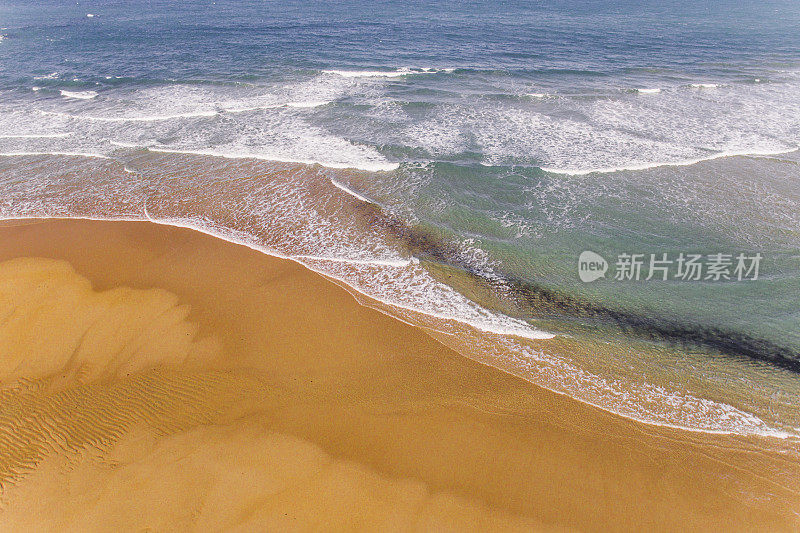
column 416, row 409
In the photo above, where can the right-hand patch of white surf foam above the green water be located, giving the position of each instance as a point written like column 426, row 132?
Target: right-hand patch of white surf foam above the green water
column 586, row 135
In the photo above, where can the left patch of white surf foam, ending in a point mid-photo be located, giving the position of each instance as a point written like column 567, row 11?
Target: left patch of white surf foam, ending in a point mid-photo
column 183, row 115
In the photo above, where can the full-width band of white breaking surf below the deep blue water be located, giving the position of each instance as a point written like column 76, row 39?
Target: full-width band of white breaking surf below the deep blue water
column 311, row 120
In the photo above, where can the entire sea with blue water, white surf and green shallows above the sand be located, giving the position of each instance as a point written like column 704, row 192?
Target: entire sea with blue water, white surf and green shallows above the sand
column 449, row 163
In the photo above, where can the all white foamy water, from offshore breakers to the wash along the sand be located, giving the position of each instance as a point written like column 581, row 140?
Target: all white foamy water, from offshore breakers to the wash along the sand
column 307, row 122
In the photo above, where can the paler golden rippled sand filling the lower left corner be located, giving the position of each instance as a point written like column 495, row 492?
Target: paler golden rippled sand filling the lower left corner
column 114, row 415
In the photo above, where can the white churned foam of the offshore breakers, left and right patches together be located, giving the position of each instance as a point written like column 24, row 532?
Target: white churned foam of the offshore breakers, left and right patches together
column 603, row 135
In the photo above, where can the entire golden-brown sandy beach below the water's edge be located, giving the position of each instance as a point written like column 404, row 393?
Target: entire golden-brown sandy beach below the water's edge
column 156, row 377
